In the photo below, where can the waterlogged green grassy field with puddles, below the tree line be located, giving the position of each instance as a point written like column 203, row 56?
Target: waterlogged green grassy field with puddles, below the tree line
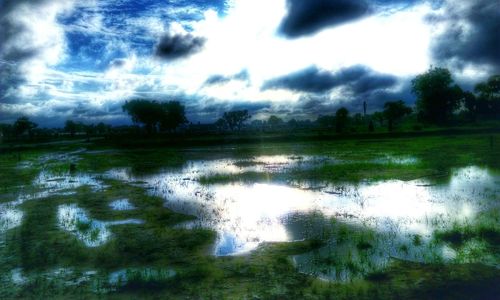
column 391, row 219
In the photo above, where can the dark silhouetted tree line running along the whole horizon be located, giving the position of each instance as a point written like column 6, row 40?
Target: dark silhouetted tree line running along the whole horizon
column 439, row 101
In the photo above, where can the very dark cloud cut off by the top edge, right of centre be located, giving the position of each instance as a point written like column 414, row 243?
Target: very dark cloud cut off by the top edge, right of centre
column 307, row 17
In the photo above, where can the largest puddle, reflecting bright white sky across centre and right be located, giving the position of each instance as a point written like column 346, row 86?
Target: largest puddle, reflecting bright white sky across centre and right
column 403, row 214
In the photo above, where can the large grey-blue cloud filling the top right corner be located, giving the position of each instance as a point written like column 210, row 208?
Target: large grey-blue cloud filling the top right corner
column 471, row 34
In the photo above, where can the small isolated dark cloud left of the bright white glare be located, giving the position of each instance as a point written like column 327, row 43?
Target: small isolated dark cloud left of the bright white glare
column 178, row 46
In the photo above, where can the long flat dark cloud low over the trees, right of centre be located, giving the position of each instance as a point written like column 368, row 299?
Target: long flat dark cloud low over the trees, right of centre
column 358, row 79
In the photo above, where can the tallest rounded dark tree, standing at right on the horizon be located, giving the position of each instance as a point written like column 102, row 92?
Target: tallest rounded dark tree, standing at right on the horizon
column 437, row 95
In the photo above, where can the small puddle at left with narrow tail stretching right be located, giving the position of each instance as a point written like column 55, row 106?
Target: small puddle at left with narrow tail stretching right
column 92, row 233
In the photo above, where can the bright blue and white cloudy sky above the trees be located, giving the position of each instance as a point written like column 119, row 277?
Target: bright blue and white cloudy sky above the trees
column 81, row 60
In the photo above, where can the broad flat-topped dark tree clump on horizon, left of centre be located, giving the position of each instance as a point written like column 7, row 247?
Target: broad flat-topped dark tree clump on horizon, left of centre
column 155, row 115
